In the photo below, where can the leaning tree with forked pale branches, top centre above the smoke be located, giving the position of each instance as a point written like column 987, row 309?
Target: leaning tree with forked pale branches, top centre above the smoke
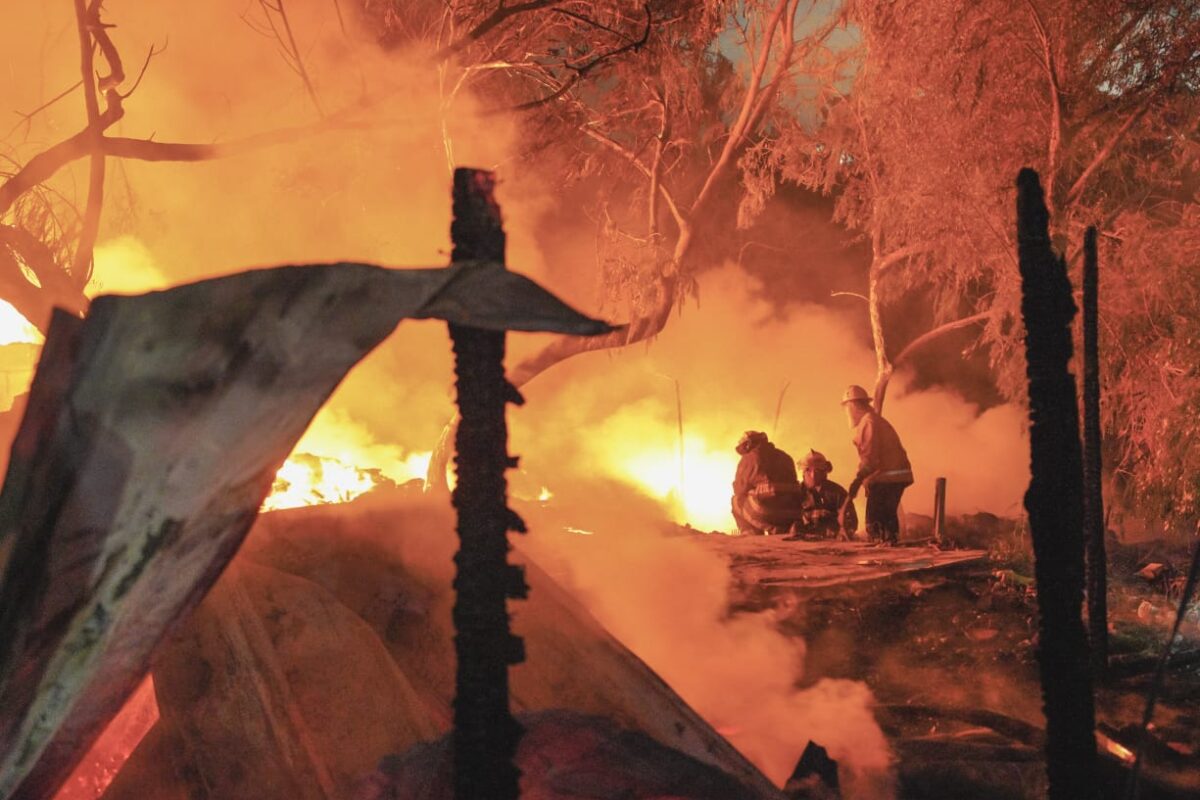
column 670, row 143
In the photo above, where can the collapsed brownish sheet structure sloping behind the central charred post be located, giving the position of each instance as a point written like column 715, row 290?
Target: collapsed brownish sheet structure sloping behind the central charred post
column 326, row 654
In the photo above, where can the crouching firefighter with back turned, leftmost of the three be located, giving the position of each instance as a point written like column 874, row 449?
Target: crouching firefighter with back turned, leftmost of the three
column 767, row 496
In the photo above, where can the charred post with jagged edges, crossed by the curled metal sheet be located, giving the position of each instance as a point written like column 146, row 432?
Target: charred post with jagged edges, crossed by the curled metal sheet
column 485, row 735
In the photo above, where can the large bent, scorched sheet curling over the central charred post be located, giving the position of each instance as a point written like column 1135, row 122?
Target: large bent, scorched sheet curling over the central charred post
column 128, row 496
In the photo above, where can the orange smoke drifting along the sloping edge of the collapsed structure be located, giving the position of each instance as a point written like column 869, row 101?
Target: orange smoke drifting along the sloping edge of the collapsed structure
column 667, row 598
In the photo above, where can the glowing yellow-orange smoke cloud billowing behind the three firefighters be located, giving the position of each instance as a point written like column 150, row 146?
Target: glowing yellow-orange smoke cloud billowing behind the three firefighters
column 740, row 366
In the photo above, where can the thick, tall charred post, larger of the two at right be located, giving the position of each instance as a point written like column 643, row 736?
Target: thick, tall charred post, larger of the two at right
column 1054, row 502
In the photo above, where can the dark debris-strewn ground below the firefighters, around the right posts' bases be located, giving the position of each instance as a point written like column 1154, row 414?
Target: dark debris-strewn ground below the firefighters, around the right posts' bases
column 951, row 658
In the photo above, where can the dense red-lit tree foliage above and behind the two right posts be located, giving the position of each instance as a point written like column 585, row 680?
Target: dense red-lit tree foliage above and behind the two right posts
column 950, row 103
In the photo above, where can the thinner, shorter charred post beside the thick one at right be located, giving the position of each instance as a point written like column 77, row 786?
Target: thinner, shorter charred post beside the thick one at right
column 1094, row 496
